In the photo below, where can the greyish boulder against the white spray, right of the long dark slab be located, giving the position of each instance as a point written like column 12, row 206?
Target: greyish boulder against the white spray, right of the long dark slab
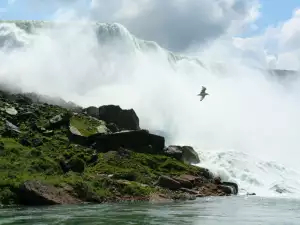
column 183, row 153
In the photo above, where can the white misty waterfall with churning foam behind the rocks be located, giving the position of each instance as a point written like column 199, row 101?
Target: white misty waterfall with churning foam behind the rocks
column 246, row 130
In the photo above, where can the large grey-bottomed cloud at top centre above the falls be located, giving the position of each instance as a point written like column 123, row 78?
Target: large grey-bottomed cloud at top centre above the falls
column 177, row 24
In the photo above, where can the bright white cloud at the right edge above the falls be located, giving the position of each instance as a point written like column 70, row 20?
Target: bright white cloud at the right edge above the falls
column 278, row 47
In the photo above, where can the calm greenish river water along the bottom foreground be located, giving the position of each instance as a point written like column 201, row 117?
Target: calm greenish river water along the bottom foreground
column 205, row 211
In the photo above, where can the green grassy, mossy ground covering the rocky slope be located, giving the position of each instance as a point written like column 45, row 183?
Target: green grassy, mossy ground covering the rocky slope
column 36, row 154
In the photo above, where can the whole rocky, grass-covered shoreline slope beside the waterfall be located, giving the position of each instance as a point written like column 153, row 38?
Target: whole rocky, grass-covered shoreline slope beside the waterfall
column 52, row 154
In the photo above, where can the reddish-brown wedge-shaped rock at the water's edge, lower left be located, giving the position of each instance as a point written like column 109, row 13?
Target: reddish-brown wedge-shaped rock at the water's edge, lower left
column 36, row 193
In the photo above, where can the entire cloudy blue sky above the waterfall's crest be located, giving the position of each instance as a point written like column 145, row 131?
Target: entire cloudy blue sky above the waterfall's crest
column 268, row 28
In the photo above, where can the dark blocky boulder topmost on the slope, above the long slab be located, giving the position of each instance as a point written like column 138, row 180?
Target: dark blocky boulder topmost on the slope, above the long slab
column 123, row 118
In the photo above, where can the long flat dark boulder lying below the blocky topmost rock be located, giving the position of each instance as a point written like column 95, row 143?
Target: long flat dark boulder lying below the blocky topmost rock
column 137, row 140
